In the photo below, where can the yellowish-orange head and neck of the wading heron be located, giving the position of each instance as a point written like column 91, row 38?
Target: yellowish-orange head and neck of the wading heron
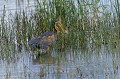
column 59, row 26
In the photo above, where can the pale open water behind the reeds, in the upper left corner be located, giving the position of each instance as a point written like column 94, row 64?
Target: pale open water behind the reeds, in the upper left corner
column 11, row 6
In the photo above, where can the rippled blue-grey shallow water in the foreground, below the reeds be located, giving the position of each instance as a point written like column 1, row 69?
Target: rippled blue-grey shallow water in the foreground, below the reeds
column 99, row 64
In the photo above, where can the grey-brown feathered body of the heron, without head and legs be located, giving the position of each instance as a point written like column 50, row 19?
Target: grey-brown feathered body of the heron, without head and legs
column 44, row 40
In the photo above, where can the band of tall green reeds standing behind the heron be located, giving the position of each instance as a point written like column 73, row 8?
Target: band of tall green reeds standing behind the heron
column 89, row 24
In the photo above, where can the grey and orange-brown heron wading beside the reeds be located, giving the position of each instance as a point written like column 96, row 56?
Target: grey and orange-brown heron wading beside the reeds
column 44, row 40
